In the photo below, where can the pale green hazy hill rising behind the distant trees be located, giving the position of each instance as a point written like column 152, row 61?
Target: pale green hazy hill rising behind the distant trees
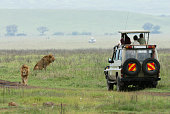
column 68, row 21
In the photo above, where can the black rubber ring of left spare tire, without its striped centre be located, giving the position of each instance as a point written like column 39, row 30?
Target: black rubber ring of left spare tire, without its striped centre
column 126, row 65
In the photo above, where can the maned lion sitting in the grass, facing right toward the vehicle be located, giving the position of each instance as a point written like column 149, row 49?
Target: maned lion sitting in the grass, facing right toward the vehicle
column 44, row 62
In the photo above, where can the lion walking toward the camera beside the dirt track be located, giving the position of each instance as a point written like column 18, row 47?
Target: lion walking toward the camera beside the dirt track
column 24, row 74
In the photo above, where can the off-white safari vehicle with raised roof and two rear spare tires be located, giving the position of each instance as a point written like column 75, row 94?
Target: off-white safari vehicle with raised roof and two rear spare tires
column 135, row 65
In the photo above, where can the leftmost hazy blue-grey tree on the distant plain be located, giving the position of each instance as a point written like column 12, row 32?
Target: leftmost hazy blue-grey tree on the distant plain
column 11, row 30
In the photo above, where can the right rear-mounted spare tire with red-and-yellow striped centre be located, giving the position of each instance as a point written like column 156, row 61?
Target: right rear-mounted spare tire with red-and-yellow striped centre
column 150, row 66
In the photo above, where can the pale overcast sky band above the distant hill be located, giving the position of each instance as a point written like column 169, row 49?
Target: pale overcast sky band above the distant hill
column 157, row 7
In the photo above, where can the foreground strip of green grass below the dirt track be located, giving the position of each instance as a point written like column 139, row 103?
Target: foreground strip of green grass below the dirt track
column 83, row 100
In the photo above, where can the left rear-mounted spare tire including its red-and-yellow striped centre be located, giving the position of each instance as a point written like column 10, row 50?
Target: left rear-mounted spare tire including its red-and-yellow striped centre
column 131, row 67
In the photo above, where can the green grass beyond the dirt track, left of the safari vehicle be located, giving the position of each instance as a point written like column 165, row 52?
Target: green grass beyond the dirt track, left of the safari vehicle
column 71, row 69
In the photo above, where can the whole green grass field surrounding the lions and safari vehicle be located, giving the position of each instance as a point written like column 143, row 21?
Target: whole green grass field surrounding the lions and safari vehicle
column 76, row 80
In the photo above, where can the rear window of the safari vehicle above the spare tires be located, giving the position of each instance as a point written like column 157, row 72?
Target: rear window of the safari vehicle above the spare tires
column 140, row 55
